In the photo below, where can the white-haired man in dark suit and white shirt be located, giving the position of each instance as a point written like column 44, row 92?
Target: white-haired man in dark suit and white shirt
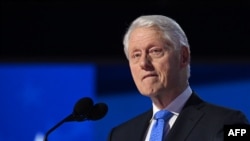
column 159, row 60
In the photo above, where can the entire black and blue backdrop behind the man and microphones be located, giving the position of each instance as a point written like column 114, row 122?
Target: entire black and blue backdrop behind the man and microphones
column 83, row 32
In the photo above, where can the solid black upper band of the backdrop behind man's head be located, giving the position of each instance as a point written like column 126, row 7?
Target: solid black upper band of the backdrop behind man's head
column 66, row 30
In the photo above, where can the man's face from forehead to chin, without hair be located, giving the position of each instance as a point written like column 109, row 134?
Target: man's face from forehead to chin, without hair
column 154, row 63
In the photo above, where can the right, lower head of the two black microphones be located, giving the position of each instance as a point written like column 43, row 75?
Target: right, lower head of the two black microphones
column 98, row 111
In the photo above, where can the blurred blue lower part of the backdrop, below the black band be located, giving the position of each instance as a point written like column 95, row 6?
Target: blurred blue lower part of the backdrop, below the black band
column 34, row 97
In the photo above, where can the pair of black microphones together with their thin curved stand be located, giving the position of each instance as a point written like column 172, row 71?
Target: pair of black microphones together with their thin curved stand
column 83, row 110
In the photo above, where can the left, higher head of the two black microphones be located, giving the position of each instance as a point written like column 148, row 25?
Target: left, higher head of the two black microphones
column 83, row 106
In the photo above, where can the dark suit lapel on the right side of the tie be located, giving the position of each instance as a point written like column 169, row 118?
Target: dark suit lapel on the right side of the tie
column 187, row 119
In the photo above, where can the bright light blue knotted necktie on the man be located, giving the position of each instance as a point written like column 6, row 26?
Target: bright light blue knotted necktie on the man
column 158, row 128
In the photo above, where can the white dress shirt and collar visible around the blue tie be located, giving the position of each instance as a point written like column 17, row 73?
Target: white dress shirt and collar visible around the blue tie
column 175, row 107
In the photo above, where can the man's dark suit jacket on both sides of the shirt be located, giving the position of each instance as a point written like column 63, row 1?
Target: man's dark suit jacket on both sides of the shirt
column 198, row 121
